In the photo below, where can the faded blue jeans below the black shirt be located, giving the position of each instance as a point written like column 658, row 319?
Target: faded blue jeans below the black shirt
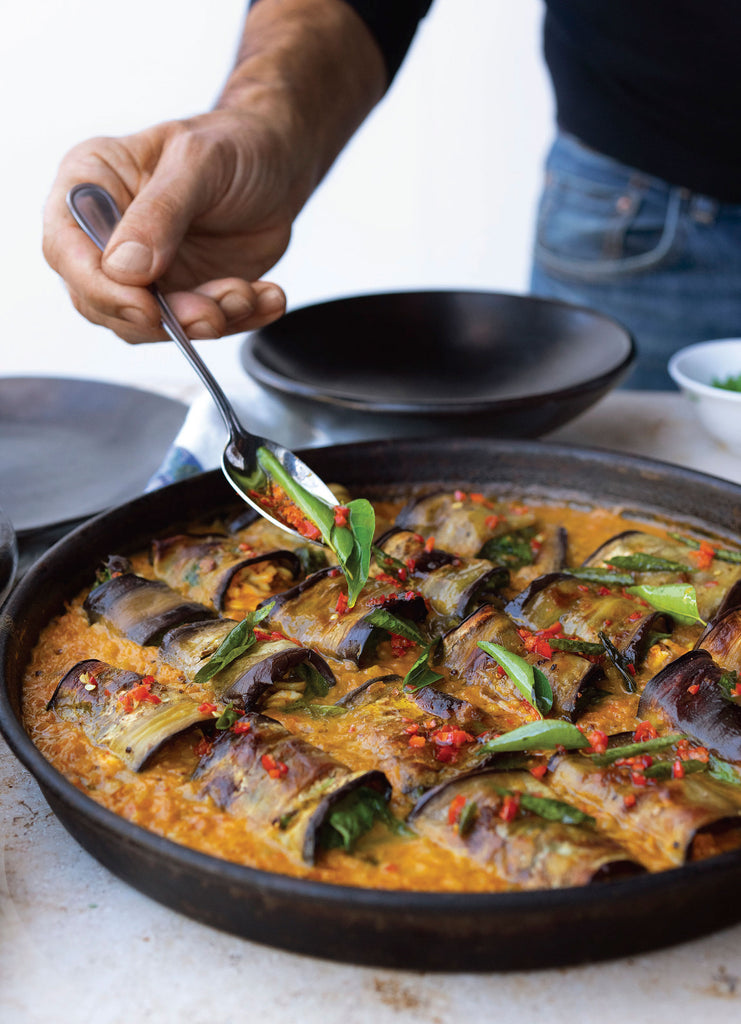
column 664, row 262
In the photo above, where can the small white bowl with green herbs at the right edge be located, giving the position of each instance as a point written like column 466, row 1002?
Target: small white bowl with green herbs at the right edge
column 694, row 370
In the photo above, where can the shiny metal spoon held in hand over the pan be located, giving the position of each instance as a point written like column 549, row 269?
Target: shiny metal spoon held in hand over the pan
column 96, row 211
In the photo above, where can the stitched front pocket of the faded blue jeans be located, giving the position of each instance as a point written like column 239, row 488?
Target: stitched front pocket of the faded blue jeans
column 605, row 225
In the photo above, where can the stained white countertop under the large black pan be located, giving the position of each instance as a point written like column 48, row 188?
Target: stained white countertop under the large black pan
column 77, row 945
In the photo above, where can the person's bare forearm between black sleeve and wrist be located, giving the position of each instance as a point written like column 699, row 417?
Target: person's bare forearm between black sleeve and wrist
column 315, row 71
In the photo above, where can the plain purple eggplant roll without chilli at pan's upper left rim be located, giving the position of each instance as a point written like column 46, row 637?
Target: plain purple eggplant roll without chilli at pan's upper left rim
column 143, row 610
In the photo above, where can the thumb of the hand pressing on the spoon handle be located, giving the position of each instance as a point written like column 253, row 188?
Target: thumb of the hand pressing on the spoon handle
column 146, row 243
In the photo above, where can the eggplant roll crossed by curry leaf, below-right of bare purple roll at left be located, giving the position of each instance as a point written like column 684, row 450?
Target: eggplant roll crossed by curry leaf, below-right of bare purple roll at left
column 272, row 660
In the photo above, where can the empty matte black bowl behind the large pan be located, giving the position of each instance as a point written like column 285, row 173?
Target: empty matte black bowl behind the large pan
column 414, row 364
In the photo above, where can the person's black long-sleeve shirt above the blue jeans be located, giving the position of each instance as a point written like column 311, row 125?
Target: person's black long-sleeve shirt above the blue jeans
column 653, row 83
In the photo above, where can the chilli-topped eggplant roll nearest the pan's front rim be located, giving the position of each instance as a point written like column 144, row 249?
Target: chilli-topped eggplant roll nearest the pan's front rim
column 485, row 818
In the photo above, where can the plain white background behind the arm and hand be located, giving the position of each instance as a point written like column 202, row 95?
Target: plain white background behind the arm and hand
column 438, row 190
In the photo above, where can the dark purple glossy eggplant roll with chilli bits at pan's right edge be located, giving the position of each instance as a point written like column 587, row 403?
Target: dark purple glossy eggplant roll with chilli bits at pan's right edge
column 689, row 697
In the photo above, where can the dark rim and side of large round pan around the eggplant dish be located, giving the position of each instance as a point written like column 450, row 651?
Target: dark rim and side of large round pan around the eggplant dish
column 425, row 931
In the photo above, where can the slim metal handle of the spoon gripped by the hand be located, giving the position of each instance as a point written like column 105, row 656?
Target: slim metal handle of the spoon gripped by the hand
column 97, row 214
